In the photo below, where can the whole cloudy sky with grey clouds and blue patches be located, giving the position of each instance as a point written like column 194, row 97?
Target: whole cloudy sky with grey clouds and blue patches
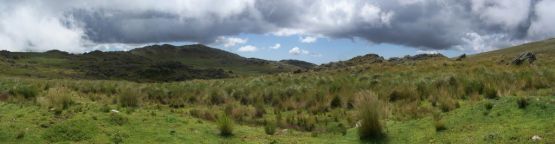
column 314, row 30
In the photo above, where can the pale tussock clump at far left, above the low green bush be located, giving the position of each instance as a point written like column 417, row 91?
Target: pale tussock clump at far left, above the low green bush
column 59, row 98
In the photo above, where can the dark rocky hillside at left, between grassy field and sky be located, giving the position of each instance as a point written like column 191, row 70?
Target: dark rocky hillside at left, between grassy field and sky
column 160, row 63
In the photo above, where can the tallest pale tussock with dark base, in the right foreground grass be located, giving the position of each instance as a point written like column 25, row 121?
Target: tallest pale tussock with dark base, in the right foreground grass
column 369, row 111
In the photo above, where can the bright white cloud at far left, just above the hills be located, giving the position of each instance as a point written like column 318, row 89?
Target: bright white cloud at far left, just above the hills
column 26, row 28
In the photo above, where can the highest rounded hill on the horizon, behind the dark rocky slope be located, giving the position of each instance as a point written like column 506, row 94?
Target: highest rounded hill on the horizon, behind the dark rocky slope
column 202, row 56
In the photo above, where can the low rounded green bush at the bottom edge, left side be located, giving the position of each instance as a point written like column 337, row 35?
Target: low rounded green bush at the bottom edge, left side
column 74, row 130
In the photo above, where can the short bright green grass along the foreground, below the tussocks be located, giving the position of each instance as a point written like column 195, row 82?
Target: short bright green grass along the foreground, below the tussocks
column 472, row 123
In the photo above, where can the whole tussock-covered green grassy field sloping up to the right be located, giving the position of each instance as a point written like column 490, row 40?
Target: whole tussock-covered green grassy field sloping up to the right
column 480, row 99
